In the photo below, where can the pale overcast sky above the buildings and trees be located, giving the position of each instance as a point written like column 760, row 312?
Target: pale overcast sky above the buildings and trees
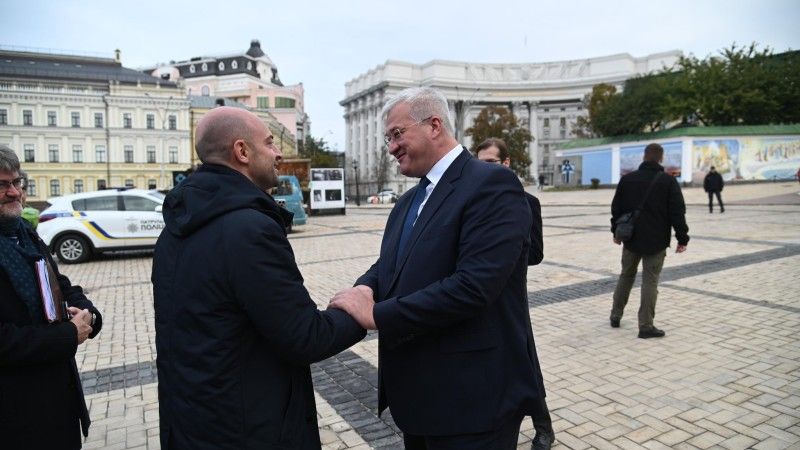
column 323, row 44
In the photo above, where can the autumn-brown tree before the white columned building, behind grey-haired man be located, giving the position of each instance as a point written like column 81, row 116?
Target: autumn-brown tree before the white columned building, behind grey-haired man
column 500, row 122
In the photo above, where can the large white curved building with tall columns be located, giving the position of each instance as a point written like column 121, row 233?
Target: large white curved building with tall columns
column 547, row 97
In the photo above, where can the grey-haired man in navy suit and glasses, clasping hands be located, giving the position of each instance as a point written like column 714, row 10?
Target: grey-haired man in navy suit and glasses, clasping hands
column 448, row 292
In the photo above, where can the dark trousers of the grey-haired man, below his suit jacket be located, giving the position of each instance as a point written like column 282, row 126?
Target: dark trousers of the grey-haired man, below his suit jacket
column 504, row 438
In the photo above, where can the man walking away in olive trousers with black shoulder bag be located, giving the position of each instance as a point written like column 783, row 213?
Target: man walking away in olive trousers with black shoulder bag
column 664, row 209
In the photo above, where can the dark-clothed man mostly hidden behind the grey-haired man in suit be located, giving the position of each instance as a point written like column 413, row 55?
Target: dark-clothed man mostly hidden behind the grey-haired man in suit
column 494, row 150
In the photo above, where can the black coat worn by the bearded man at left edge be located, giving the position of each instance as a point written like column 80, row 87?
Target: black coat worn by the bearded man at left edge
column 41, row 398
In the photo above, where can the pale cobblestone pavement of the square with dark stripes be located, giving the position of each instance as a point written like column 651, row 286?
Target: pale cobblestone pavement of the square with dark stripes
column 727, row 375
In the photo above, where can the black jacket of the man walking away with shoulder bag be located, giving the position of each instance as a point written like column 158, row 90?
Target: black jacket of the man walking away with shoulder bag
column 664, row 209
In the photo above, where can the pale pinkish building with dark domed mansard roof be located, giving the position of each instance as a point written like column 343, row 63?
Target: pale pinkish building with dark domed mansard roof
column 250, row 78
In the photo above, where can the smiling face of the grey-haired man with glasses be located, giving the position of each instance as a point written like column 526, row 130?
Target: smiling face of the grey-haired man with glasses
column 414, row 147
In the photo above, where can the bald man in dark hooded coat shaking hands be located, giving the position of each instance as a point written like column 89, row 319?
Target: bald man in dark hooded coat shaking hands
column 236, row 331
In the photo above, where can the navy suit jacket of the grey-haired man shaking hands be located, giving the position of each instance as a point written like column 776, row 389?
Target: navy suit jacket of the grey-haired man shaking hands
column 455, row 355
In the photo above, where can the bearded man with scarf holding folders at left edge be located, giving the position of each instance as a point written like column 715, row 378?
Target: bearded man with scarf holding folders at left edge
column 41, row 398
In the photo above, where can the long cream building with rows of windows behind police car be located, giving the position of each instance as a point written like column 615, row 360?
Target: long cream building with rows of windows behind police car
column 85, row 123
